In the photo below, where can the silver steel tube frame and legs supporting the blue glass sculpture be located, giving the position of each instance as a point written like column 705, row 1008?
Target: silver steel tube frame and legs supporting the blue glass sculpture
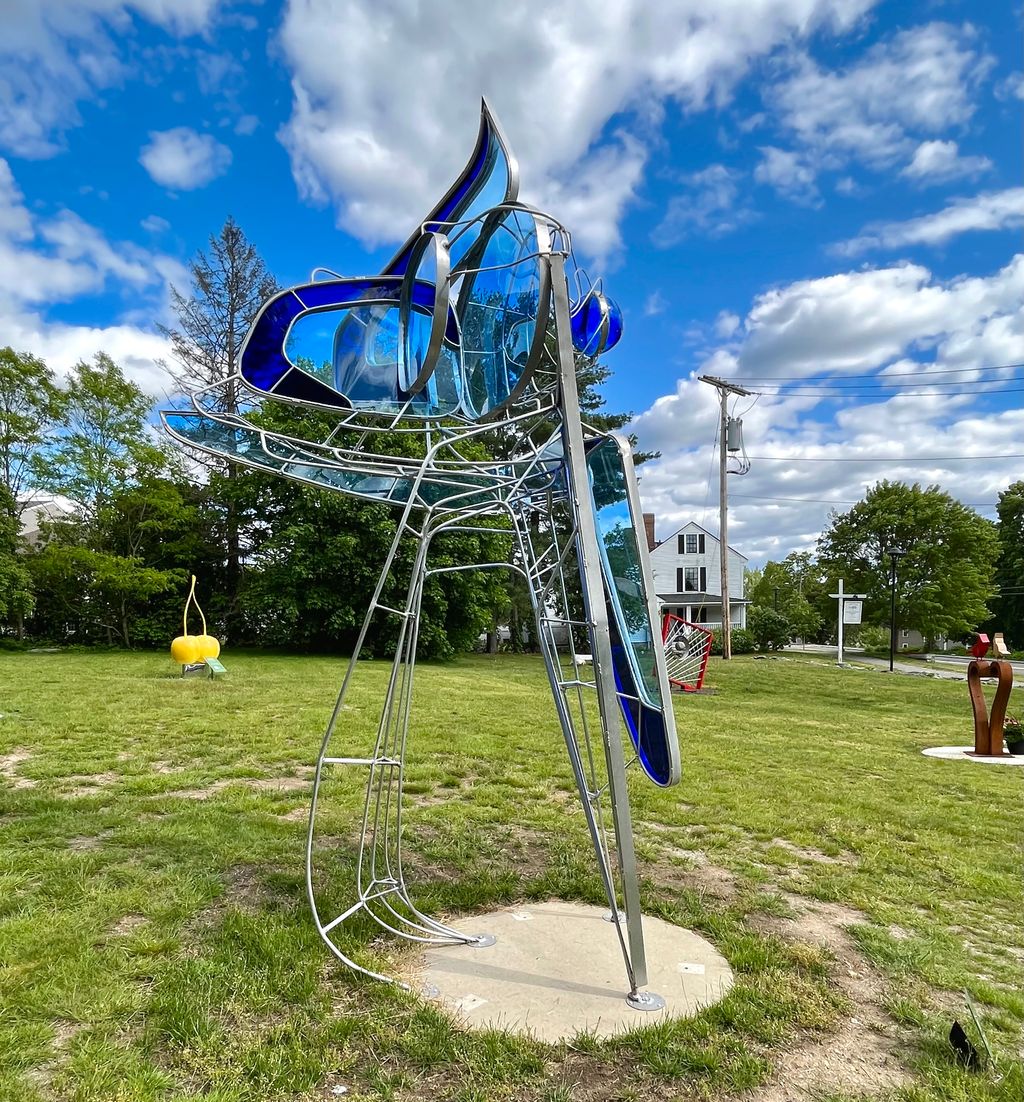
column 543, row 493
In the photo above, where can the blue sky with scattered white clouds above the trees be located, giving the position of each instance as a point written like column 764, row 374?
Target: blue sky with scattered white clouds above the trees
column 817, row 191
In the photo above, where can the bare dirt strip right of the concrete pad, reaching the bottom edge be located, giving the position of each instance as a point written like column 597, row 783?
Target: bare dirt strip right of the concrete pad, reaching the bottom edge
column 863, row 1057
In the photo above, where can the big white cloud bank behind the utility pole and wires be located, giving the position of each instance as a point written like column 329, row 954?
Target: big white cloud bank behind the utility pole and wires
column 865, row 322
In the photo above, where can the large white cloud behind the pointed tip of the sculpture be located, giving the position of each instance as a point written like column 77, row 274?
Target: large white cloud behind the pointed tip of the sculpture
column 383, row 141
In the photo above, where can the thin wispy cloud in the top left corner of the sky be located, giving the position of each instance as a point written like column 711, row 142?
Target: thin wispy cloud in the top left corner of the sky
column 56, row 53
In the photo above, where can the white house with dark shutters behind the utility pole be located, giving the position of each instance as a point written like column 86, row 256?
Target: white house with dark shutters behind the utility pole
column 688, row 577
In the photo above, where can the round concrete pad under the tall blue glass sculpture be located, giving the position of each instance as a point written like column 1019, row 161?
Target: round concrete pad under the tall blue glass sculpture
column 557, row 969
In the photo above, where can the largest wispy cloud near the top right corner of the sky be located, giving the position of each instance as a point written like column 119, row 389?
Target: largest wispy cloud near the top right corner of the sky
column 919, row 83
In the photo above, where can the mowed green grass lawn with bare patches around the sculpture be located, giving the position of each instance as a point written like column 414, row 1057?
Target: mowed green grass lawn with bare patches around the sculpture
column 156, row 943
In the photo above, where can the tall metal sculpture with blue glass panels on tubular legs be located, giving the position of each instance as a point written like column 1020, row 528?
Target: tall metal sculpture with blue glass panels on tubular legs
column 468, row 344
